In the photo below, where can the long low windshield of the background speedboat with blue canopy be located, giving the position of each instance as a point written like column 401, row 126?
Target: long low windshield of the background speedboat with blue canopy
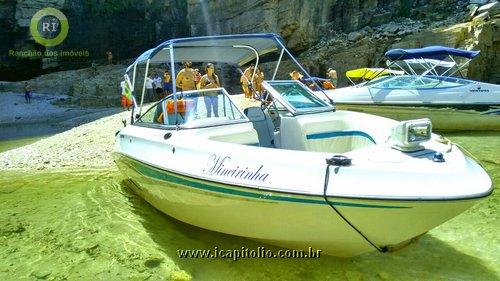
column 416, row 82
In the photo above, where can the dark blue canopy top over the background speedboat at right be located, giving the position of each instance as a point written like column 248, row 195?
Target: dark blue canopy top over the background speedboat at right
column 432, row 52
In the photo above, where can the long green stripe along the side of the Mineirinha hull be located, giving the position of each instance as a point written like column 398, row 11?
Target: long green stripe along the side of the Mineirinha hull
column 170, row 177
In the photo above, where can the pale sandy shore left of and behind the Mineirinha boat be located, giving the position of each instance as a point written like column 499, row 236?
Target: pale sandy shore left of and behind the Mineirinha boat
column 86, row 146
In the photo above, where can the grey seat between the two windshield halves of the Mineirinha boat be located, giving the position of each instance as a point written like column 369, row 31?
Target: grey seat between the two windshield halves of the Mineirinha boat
column 262, row 124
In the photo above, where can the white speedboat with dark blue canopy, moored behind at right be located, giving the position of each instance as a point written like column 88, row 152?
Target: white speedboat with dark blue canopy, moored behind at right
column 429, row 90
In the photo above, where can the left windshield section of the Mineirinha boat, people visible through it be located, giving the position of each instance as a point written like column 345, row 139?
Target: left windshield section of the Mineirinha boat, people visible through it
column 195, row 109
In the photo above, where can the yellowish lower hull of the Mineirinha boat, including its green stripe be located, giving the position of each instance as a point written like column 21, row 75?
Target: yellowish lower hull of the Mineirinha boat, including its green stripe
column 285, row 219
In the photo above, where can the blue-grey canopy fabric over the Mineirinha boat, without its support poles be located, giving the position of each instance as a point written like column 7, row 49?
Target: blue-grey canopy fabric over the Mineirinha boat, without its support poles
column 234, row 49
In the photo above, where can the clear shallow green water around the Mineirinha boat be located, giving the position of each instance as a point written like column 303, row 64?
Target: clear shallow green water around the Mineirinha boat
column 69, row 225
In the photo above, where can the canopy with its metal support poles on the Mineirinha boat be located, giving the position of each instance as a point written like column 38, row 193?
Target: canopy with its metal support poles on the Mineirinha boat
column 238, row 50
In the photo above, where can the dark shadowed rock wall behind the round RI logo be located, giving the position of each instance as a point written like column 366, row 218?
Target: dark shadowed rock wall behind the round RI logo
column 124, row 27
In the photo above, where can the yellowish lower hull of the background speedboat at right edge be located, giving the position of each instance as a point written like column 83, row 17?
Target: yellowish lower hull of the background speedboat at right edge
column 443, row 118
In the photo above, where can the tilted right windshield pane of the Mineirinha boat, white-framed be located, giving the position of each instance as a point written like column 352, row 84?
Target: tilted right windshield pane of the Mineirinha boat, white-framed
column 296, row 97
